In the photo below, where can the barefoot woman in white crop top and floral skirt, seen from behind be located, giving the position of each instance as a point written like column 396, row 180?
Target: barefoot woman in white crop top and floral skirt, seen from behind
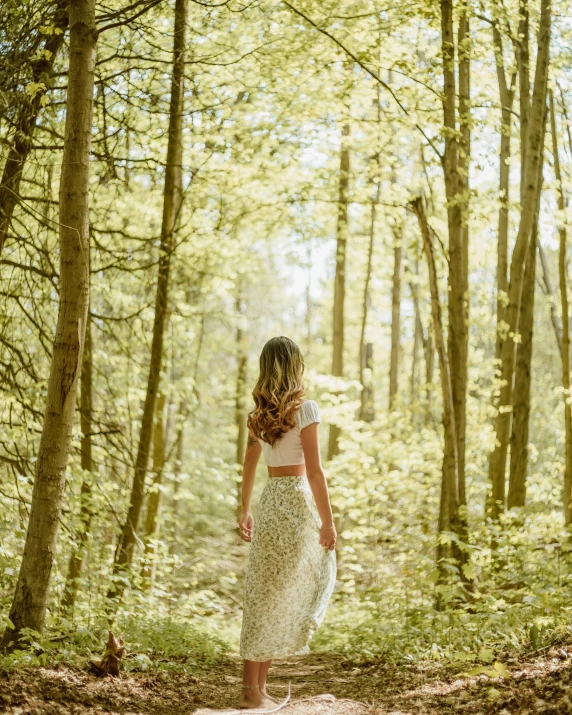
column 291, row 568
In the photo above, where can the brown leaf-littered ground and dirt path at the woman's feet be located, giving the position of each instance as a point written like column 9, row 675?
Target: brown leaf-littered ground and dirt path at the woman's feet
column 321, row 684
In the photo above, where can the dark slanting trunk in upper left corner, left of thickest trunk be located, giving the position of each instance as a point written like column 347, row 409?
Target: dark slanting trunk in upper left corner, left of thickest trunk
column 25, row 122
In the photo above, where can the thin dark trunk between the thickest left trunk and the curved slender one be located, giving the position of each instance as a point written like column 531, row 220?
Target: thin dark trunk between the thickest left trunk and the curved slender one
column 86, row 507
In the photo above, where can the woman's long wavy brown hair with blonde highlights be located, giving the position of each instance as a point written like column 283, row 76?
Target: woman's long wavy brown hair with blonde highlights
column 279, row 390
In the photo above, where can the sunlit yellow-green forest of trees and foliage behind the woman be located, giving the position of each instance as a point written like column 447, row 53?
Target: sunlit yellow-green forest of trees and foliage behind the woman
column 385, row 183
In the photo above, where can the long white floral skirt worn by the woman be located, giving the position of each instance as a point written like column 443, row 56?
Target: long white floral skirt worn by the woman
column 289, row 576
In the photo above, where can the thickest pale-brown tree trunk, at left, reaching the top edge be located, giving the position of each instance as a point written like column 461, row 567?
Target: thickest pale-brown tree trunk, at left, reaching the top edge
column 30, row 599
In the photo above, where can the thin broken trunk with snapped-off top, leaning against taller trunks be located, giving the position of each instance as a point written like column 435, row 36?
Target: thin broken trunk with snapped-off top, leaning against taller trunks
column 449, row 502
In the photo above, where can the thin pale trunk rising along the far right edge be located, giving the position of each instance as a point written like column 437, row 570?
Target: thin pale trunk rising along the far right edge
column 565, row 352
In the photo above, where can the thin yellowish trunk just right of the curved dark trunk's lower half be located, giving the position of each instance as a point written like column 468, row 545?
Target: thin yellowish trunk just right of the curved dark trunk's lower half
column 154, row 500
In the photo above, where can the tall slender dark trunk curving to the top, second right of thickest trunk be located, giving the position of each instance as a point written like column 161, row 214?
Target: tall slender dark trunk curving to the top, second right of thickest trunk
column 172, row 200
